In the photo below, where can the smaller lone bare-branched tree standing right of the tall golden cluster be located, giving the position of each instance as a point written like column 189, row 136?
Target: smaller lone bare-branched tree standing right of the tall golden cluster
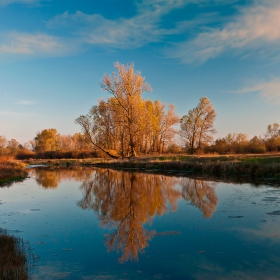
column 197, row 128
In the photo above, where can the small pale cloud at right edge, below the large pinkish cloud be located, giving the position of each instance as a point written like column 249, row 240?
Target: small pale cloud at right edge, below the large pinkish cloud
column 269, row 90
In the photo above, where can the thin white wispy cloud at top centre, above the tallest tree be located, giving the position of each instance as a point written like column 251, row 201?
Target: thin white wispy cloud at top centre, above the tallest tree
column 143, row 28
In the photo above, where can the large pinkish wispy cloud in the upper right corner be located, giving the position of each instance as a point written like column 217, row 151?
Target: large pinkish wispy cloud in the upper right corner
column 256, row 27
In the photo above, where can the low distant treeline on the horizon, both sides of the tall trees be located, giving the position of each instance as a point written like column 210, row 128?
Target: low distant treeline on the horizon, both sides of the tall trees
column 48, row 144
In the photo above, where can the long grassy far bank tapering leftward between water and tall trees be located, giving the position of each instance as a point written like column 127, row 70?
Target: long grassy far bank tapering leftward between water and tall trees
column 252, row 166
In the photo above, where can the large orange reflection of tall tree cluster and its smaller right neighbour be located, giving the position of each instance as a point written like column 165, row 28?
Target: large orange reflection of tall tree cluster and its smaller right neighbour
column 125, row 201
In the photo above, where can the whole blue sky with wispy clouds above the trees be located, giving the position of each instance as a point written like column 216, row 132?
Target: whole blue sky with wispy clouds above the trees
column 53, row 55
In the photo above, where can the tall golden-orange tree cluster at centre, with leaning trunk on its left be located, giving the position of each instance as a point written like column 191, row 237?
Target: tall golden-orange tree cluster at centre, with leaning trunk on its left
column 126, row 124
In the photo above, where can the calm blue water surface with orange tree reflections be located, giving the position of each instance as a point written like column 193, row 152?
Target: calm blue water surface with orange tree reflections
column 107, row 224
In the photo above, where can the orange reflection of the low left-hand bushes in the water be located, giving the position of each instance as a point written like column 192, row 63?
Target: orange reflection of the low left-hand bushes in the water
column 52, row 177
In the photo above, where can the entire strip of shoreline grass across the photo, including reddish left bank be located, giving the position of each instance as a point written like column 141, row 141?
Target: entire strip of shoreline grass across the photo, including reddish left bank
column 245, row 168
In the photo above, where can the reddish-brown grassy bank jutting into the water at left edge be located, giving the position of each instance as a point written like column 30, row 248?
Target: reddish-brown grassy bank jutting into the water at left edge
column 11, row 170
